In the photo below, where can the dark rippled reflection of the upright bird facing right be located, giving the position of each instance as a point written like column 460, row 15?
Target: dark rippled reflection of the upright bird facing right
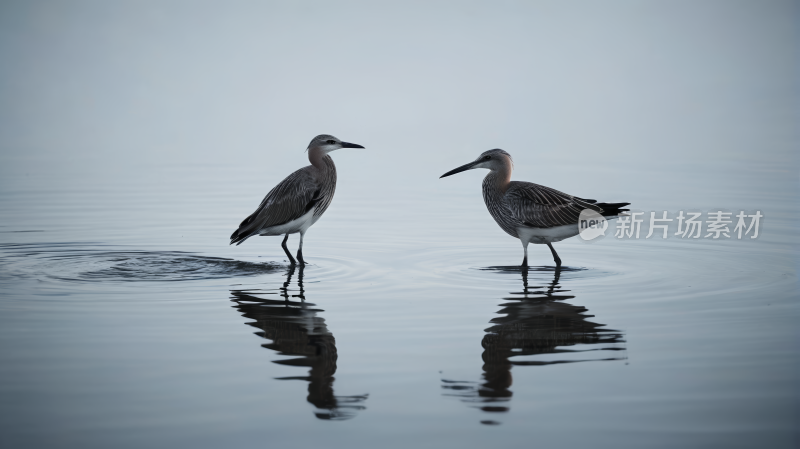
column 296, row 329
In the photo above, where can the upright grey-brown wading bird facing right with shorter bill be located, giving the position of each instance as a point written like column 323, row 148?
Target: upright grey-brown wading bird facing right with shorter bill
column 298, row 201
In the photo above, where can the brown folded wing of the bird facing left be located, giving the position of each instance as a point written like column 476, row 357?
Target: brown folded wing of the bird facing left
column 542, row 207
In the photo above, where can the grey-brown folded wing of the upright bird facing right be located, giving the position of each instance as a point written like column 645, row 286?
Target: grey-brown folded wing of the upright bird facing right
column 287, row 201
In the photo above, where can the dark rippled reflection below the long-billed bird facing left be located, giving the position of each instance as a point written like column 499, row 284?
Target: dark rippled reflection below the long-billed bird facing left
column 535, row 328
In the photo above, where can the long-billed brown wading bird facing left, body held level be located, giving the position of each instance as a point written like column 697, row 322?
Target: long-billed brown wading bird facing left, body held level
column 531, row 212
